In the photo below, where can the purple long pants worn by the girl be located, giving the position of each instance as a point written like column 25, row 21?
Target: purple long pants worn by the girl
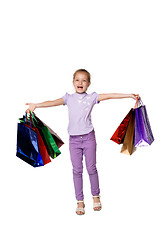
column 80, row 145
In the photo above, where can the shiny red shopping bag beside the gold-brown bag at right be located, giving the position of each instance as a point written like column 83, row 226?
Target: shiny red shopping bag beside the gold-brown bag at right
column 119, row 134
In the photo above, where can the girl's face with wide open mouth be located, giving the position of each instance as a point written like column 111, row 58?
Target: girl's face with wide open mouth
column 81, row 82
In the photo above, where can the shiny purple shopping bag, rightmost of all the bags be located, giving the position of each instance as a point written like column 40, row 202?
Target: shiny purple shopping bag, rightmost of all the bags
column 143, row 132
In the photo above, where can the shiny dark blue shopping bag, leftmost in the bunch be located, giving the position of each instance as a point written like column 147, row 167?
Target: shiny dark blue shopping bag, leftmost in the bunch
column 27, row 146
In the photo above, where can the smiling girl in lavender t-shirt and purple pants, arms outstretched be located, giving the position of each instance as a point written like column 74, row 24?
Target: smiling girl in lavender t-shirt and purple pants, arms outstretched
column 82, row 136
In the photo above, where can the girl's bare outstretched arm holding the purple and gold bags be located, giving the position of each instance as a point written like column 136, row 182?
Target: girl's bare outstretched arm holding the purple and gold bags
column 107, row 96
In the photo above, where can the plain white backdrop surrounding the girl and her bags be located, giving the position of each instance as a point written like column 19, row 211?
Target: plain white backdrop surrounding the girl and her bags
column 42, row 43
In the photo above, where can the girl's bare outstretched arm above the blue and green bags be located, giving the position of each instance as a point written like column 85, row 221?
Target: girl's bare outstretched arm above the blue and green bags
column 33, row 106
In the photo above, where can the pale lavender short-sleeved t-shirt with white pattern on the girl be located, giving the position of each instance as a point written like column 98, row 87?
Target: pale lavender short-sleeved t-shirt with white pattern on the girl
column 79, row 108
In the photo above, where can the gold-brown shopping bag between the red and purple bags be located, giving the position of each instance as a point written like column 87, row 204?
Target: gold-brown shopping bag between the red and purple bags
column 128, row 143
